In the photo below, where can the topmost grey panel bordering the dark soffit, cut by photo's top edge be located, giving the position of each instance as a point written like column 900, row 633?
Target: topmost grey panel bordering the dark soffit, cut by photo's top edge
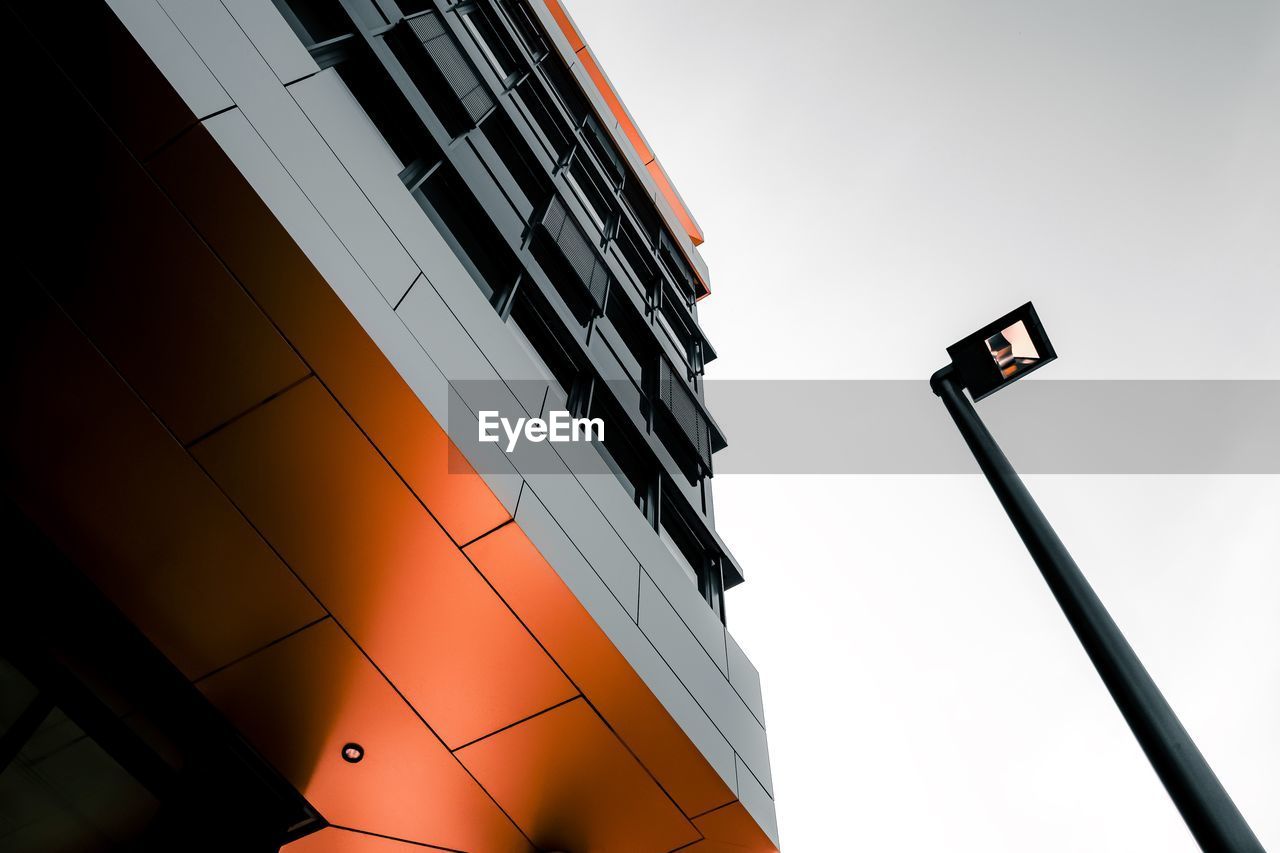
column 173, row 56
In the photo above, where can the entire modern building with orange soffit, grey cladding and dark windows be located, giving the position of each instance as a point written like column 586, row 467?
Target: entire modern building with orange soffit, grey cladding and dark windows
column 272, row 259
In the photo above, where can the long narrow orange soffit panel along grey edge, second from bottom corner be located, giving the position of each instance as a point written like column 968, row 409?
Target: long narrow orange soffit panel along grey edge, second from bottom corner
column 528, row 583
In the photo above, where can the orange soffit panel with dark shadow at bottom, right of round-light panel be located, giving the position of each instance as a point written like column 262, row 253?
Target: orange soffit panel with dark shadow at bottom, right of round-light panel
column 573, row 786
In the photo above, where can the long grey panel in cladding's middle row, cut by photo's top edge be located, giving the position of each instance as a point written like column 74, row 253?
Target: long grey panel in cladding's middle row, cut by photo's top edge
column 282, row 124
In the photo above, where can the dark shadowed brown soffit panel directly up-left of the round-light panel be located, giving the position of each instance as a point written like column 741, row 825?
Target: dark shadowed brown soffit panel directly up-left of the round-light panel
column 95, row 469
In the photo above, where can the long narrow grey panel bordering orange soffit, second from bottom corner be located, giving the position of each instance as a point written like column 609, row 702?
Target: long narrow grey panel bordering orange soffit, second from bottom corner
column 550, row 539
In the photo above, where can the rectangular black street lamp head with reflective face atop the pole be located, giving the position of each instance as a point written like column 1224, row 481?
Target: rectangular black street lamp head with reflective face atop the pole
column 1002, row 353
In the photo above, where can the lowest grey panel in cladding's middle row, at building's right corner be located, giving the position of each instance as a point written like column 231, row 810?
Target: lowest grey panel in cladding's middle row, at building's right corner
column 707, row 685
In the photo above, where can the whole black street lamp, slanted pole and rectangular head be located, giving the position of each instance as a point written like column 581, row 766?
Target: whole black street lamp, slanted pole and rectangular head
column 984, row 363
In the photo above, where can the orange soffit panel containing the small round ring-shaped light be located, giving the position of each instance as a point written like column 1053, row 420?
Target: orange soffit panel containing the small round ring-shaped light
column 303, row 700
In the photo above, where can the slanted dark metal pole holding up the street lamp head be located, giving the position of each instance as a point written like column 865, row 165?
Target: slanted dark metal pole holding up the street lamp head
column 1205, row 805
